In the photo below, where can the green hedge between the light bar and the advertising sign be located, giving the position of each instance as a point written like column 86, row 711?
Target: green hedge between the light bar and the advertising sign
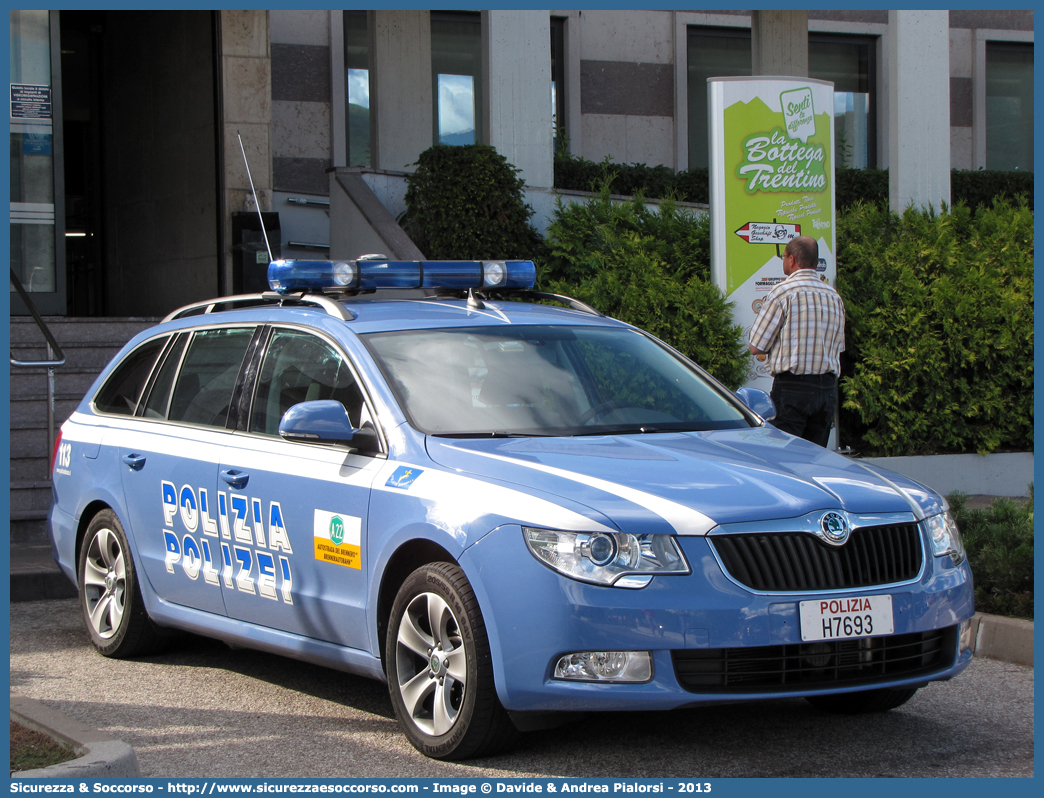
column 650, row 269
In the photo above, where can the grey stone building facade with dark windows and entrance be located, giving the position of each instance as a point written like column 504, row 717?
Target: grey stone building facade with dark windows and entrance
column 130, row 195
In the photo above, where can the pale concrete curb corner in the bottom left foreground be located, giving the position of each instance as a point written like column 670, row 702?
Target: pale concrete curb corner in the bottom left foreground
column 101, row 756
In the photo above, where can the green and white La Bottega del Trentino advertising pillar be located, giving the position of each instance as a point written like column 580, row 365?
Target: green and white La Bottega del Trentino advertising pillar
column 772, row 179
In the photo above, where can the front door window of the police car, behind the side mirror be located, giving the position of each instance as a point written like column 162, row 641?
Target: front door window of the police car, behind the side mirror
column 300, row 367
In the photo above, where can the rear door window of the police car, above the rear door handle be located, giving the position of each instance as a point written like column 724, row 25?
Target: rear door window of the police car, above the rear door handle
column 203, row 392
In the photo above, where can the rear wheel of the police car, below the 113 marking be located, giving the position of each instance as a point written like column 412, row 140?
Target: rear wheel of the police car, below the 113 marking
column 110, row 596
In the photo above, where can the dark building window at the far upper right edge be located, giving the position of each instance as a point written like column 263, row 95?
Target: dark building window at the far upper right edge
column 1009, row 106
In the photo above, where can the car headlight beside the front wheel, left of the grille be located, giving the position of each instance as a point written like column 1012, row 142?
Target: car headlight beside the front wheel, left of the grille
column 619, row 559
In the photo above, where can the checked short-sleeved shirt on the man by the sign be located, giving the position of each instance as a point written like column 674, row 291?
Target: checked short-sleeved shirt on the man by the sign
column 801, row 326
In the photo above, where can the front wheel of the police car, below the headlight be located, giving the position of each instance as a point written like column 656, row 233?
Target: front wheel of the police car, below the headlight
column 440, row 670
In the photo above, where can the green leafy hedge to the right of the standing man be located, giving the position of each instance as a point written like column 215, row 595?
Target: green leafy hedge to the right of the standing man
column 940, row 330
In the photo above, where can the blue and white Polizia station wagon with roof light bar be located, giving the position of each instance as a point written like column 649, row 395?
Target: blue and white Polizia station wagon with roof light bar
column 511, row 512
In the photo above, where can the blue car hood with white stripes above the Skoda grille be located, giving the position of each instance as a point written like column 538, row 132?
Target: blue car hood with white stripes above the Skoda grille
column 689, row 483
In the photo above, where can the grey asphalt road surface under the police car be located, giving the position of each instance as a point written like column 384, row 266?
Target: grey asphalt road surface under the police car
column 204, row 711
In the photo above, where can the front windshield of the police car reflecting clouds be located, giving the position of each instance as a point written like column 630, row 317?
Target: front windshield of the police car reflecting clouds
column 548, row 381
